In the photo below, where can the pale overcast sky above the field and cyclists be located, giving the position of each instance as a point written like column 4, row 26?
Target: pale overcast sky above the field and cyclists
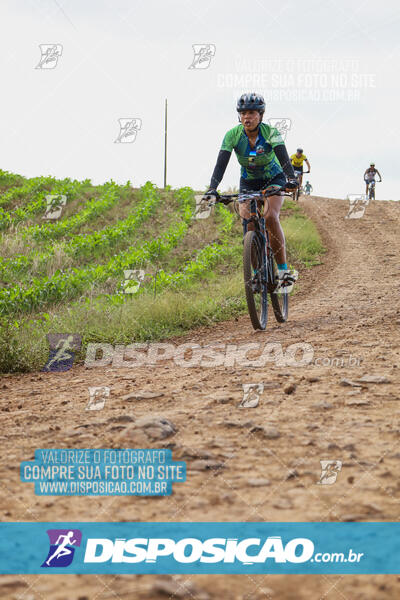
column 330, row 67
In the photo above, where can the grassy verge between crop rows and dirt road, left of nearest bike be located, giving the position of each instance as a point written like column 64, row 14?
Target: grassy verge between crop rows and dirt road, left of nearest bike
column 142, row 318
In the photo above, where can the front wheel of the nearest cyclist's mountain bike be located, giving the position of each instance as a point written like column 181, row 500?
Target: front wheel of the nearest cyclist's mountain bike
column 255, row 279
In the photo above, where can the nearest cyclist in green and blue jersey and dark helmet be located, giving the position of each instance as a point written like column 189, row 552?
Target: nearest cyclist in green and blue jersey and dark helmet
column 264, row 161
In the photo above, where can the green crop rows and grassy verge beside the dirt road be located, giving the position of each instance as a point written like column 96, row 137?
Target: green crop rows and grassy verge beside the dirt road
column 73, row 280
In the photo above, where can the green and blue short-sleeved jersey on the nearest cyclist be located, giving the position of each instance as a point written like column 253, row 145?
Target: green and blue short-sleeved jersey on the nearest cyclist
column 261, row 161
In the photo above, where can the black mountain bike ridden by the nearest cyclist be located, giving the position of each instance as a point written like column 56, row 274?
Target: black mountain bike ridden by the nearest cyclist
column 260, row 268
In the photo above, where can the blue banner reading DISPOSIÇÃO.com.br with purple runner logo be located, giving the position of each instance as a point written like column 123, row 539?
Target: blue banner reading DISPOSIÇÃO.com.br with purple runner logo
column 200, row 548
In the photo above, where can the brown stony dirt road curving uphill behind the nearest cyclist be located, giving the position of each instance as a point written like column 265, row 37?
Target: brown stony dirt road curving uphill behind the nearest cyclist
column 347, row 306
